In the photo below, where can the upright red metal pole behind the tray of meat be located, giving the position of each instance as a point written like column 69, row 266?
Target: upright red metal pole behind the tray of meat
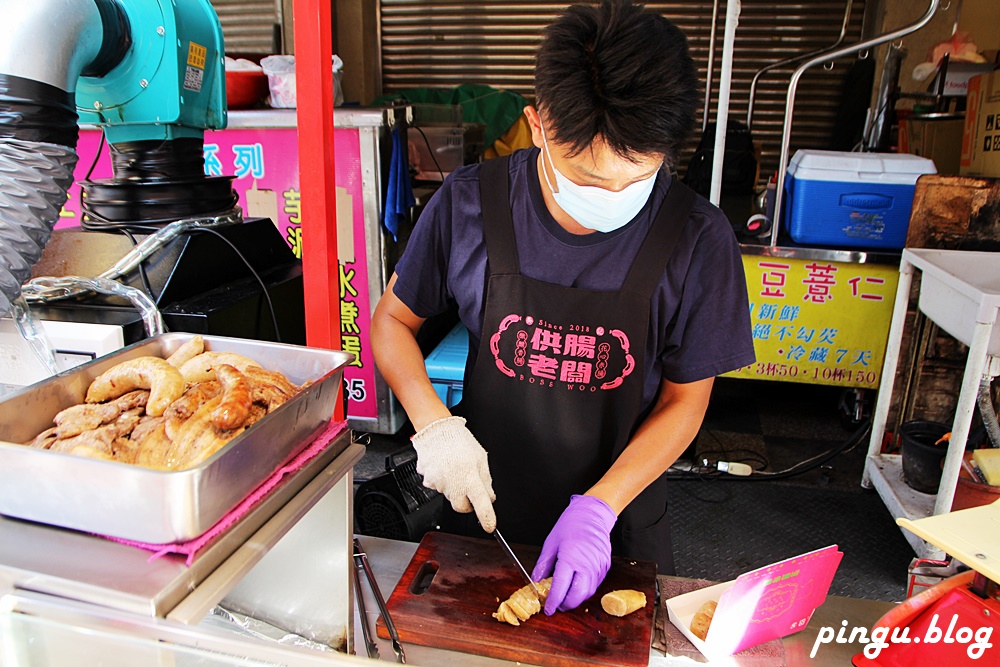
column 314, row 84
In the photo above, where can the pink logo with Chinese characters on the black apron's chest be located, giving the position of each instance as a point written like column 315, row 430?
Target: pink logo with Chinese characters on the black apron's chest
column 581, row 357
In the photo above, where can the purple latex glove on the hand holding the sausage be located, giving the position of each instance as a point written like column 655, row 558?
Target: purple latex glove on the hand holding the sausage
column 577, row 553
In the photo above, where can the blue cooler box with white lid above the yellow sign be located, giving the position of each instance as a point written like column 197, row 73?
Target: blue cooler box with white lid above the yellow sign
column 860, row 200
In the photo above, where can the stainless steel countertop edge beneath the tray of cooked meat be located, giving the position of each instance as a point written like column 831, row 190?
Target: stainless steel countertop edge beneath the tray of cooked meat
column 90, row 569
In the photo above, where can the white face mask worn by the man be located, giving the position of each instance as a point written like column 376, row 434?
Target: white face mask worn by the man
column 596, row 208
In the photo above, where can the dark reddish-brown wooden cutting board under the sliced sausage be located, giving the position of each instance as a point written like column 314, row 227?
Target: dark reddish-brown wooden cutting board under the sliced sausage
column 473, row 576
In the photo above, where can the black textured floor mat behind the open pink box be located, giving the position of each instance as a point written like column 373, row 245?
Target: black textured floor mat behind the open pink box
column 722, row 529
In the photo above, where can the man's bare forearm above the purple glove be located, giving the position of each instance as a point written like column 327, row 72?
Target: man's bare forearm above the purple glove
column 659, row 440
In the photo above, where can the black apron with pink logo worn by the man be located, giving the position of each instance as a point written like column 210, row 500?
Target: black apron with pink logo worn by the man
column 556, row 389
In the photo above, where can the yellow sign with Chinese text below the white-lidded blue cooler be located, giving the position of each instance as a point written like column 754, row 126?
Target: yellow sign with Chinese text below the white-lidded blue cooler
column 818, row 321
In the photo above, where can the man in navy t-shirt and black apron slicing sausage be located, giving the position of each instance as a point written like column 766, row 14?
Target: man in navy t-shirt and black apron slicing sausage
column 601, row 295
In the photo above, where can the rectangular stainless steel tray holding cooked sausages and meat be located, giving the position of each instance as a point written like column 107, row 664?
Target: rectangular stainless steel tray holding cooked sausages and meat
column 155, row 506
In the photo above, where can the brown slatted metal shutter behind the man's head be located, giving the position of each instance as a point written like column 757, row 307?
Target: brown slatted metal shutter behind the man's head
column 443, row 44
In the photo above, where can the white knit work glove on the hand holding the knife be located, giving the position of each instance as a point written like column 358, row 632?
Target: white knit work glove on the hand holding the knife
column 454, row 463
